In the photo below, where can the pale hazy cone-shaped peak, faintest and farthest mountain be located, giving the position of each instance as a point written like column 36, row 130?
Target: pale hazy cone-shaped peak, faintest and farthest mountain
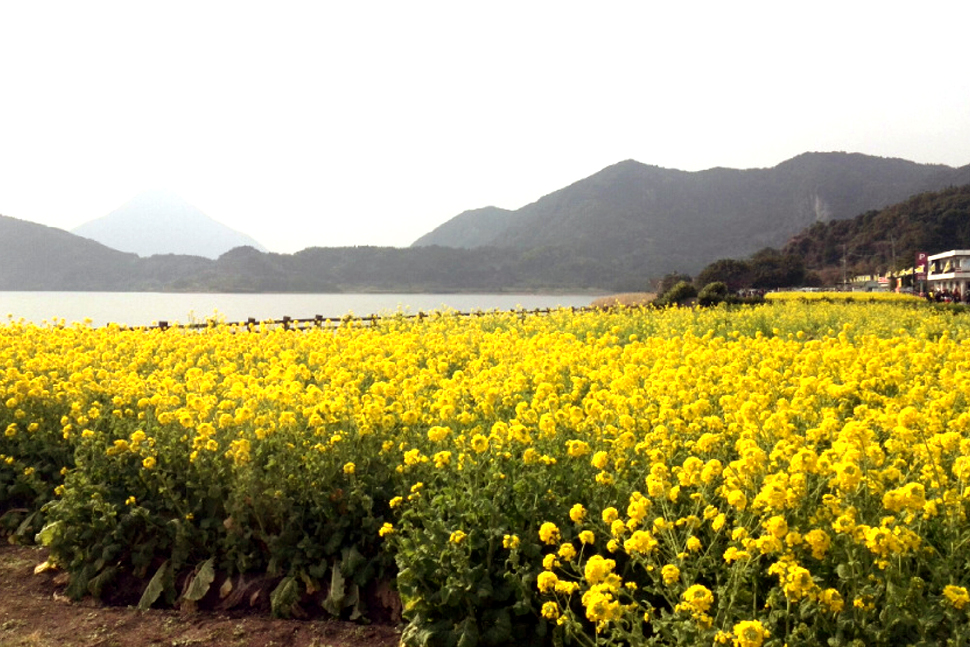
column 160, row 222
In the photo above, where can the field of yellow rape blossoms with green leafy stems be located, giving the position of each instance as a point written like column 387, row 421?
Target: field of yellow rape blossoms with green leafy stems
column 791, row 473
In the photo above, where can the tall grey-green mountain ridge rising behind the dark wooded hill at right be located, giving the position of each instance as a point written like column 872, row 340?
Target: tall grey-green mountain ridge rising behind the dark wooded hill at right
column 658, row 220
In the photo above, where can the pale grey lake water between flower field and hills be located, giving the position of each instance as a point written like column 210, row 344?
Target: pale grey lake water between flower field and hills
column 146, row 308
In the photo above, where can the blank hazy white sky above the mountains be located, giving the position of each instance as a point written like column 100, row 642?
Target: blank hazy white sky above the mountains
column 370, row 123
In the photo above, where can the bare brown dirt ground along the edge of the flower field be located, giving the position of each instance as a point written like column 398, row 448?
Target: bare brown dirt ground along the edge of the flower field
column 35, row 613
